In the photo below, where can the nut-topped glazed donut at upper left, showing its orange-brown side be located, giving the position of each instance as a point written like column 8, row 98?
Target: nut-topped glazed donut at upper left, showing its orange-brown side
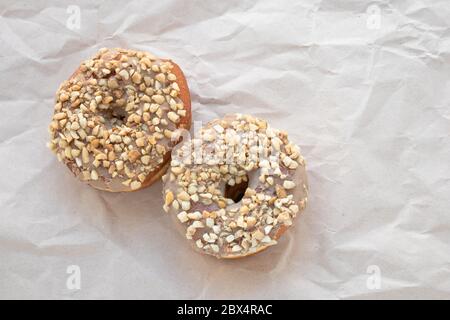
column 116, row 119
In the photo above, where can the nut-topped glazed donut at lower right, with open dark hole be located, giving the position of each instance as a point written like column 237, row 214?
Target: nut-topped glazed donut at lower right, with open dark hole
column 236, row 188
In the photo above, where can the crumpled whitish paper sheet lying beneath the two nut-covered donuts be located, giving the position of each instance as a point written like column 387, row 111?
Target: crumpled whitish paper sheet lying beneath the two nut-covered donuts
column 362, row 87
